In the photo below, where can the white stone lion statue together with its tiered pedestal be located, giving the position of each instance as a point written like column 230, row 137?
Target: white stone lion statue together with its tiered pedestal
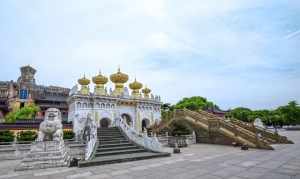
column 49, row 150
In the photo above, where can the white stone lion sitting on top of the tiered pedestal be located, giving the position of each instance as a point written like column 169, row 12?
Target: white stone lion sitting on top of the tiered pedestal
column 51, row 128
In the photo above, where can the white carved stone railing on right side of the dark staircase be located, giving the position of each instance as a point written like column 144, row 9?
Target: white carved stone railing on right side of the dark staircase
column 149, row 143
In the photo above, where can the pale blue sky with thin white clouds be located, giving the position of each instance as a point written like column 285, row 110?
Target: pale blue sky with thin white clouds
column 233, row 52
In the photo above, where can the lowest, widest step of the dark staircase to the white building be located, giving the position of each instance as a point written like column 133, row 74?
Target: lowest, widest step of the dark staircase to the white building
column 121, row 158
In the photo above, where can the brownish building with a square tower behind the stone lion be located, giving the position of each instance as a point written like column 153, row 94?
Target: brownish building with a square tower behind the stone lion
column 14, row 95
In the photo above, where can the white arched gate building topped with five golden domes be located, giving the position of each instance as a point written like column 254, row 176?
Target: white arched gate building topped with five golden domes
column 139, row 109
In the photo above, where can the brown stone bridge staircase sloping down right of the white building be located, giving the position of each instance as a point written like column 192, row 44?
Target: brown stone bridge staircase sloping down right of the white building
column 218, row 131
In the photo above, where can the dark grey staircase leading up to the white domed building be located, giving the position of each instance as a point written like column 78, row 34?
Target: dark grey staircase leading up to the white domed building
column 114, row 147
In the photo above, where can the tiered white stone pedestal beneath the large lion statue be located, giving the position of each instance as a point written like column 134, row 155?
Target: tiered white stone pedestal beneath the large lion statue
column 45, row 154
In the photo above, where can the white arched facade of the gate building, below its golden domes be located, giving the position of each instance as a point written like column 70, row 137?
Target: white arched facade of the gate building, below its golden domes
column 105, row 109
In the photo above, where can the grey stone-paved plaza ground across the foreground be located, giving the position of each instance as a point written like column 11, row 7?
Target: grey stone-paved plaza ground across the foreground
column 198, row 161
